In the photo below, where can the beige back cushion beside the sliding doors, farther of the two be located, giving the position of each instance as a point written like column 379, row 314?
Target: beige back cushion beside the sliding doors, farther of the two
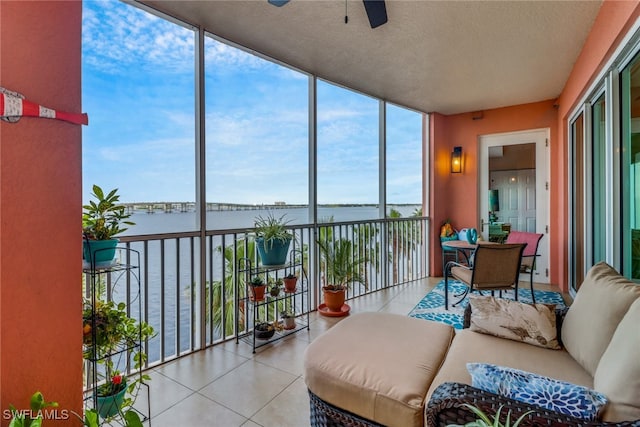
column 600, row 304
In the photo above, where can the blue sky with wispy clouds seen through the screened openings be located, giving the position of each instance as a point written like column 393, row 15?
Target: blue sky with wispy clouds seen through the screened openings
column 138, row 89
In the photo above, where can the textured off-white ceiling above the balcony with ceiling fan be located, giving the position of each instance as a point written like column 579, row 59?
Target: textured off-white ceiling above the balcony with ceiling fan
column 433, row 56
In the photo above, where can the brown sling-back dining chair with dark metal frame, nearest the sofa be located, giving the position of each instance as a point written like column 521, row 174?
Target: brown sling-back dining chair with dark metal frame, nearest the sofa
column 495, row 267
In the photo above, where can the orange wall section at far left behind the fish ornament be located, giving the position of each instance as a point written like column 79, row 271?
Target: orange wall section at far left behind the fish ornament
column 40, row 215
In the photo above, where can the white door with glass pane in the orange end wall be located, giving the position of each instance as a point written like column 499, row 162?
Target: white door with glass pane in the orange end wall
column 525, row 196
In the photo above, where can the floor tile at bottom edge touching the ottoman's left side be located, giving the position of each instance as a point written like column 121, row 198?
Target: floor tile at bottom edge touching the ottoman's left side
column 289, row 409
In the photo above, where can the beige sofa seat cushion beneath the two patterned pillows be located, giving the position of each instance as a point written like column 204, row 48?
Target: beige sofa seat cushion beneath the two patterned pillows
column 469, row 347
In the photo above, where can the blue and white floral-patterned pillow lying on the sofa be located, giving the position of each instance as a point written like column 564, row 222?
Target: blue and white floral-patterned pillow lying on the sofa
column 566, row 398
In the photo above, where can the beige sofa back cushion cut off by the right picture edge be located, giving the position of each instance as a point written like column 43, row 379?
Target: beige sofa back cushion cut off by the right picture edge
column 618, row 373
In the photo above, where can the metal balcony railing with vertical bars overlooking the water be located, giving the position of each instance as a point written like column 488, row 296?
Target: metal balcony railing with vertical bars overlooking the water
column 189, row 294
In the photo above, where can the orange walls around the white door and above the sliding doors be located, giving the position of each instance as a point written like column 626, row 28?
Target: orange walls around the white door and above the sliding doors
column 452, row 195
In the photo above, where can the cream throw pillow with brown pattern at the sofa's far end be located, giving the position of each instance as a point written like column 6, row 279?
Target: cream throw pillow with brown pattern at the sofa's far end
column 530, row 323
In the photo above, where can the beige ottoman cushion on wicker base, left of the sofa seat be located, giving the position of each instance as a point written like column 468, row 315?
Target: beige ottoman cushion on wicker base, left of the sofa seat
column 378, row 366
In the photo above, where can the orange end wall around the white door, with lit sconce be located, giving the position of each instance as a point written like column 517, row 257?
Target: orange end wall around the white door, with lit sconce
column 455, row 196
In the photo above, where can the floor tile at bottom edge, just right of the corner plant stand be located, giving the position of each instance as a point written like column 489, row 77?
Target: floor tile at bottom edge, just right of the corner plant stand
column 197, row 410
